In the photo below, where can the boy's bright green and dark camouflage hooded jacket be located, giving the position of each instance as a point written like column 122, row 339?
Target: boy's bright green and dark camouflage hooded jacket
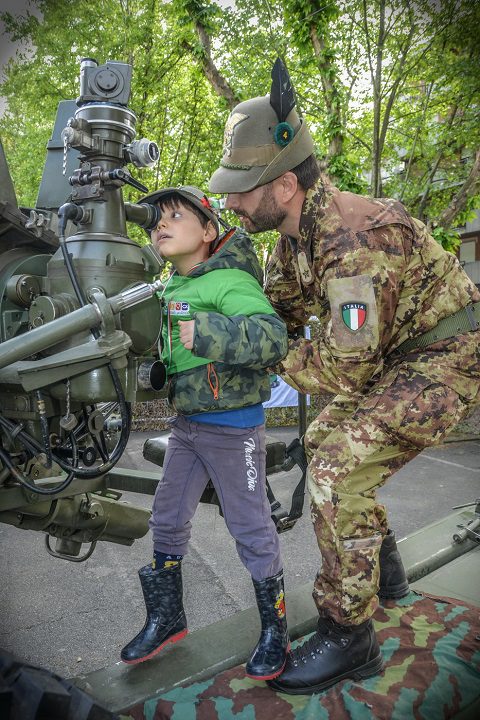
column 237, row 334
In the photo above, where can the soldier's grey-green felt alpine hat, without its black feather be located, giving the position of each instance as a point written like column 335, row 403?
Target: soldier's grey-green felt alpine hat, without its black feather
column 251, row 154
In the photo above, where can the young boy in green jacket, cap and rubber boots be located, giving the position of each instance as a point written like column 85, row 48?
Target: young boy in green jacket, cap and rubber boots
column 219, row 336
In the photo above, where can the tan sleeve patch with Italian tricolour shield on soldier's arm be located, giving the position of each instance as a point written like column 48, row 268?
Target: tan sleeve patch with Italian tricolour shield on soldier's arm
column 354, row 313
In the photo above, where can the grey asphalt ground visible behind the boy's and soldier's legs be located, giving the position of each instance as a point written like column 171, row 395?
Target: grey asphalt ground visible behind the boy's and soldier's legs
column 74, row 618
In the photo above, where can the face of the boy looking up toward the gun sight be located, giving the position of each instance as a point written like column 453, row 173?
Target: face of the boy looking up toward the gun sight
column 180, row 237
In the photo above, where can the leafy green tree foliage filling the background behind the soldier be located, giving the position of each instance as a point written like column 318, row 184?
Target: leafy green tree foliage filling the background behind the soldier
column 431, row 127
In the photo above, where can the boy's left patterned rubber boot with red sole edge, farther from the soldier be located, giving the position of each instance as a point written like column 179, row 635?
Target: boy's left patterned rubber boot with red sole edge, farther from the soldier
column 166, row 622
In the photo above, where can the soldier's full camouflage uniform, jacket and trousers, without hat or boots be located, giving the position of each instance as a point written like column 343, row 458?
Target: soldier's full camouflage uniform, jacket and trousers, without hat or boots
column 374, row 277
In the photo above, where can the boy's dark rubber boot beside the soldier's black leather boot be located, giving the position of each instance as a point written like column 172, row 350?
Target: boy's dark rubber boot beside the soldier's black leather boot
column 269, row 657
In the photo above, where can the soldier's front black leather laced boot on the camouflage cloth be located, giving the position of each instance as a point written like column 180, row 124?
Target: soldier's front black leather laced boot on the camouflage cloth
column 335, row 652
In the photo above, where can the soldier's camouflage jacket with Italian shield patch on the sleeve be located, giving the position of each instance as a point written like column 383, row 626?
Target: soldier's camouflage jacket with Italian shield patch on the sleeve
column 374, row 277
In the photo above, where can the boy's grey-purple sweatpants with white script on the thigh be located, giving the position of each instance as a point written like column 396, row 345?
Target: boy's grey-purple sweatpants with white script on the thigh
column 234, row 460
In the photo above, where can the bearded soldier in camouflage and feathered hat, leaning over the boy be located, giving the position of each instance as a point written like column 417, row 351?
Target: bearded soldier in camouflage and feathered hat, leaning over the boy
column 399, row 349
